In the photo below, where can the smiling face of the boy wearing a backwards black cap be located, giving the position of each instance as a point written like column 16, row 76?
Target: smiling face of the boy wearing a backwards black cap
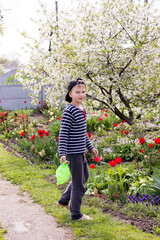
column 78, row 94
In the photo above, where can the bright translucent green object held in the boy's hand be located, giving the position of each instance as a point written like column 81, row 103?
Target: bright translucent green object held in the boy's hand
column 62, row 173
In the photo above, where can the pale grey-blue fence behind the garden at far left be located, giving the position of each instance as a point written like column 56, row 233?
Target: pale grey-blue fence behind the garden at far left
column 12, row 95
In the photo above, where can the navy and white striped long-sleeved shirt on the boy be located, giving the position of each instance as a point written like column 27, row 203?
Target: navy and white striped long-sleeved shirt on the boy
column 73, row 137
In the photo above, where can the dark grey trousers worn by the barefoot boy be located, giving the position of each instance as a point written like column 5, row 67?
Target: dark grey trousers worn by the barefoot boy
column 76, row 188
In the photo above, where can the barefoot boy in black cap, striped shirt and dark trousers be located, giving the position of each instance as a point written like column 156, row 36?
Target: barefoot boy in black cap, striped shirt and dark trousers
column 73, row 140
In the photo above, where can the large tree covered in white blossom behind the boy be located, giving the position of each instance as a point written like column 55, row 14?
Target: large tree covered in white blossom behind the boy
column 113, row 45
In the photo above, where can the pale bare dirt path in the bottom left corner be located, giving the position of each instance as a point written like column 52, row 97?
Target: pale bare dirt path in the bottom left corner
column 26, row 220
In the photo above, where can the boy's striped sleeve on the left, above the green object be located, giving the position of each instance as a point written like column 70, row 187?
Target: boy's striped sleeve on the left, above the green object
column 64, row 132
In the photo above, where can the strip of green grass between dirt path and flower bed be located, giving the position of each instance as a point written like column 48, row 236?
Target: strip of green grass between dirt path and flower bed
column 32, row 178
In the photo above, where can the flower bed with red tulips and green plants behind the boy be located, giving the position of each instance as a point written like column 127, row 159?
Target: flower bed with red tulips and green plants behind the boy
column 111, row 177
